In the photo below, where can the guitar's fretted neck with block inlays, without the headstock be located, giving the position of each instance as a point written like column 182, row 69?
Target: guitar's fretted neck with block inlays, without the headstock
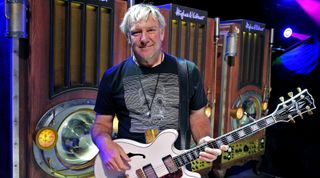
column 226, row 139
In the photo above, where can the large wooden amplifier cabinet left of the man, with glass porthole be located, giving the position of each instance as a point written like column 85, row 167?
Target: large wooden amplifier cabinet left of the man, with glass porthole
column 71, row 44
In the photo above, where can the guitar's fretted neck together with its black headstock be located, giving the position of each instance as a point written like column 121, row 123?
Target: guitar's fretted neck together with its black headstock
column 285, row 112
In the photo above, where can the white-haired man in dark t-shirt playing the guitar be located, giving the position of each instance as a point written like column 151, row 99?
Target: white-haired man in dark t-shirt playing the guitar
column 143, row 92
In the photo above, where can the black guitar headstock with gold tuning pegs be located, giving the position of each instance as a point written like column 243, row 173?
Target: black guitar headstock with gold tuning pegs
column 295, row 106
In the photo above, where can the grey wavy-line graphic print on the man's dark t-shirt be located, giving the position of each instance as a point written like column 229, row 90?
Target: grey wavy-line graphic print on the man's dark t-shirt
column 165, row 105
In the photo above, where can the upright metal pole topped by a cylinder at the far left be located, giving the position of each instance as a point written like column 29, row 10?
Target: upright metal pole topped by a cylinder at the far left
column 15, row 13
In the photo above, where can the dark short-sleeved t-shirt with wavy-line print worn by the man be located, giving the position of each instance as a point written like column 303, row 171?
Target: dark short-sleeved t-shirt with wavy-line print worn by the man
column 145, row 98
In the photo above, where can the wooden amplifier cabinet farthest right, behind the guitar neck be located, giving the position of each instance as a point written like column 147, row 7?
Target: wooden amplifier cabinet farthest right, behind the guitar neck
column 243, row 85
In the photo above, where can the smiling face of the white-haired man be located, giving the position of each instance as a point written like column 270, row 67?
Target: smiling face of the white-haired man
column 146, row 38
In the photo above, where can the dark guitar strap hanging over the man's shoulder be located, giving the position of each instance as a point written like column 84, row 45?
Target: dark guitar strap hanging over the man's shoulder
column 184, row 132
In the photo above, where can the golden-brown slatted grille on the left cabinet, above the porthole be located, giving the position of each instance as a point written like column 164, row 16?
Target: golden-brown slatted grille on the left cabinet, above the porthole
column 81, row 44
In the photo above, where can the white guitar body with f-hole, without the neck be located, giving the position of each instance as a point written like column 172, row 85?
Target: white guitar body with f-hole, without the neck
column 150, row 155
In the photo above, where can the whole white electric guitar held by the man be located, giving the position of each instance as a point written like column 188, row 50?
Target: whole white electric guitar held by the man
column 161, row 159
